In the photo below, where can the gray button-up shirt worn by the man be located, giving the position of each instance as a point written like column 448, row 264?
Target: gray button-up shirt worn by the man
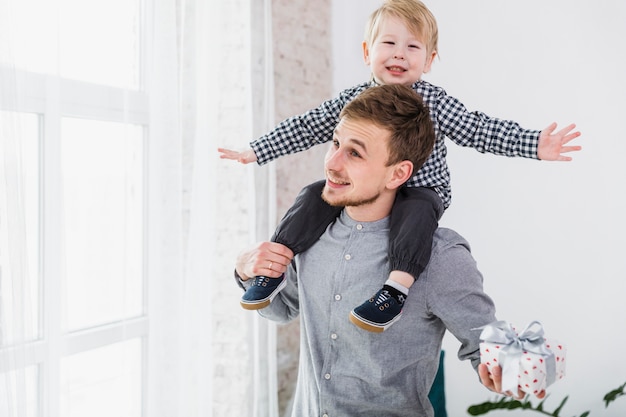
column 346, row 371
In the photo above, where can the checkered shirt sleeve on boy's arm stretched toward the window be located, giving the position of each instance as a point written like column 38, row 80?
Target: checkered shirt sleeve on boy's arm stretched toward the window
column 301, row 132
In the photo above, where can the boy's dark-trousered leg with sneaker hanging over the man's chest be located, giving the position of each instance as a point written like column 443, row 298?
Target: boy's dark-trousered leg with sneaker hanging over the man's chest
column 414, row 219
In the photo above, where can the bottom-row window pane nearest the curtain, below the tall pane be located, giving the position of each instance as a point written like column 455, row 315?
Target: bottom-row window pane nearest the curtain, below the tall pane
column 103, row 382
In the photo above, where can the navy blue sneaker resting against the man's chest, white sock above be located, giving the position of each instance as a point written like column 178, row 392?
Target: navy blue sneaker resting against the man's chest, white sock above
column 378, row 313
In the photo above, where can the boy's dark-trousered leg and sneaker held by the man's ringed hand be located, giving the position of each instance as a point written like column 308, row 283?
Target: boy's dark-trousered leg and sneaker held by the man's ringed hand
column 302, row 225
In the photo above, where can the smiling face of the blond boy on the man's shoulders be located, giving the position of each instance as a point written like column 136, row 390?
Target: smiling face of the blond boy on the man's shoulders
column 397, row 56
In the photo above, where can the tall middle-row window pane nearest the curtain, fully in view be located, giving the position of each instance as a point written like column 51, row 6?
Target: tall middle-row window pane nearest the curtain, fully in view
column 102, row 183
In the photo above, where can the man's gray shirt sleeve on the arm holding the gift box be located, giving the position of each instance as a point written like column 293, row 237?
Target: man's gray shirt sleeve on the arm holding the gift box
column 456, row 295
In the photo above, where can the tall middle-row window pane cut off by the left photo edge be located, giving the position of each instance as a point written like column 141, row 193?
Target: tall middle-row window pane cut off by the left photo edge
column 19, row 227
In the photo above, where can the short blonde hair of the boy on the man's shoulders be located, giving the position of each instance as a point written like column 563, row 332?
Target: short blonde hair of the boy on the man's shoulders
column 415, row 15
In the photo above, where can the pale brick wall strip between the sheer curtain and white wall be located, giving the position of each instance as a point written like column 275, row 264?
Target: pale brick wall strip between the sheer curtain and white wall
column 303, row 79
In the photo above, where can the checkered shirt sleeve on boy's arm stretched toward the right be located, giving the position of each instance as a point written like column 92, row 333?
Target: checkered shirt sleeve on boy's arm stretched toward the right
column 484, row 133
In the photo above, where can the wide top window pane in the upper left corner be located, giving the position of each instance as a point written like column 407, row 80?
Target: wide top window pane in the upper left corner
column 93, row 41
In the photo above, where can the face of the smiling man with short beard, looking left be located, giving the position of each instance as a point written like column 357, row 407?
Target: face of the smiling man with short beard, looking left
column 355, row 165
